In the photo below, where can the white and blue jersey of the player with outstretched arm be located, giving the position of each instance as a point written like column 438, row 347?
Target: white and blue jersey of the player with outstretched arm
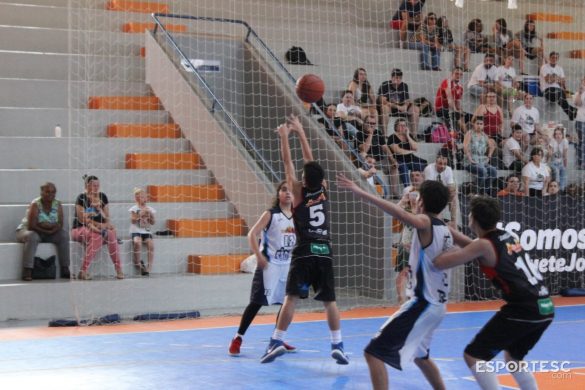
column 425, row 281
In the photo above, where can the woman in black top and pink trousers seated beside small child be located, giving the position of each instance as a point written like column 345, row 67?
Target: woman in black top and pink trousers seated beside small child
column 92, row 227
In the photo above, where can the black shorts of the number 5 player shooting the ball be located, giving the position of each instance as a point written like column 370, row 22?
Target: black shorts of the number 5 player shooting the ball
column 311, row 271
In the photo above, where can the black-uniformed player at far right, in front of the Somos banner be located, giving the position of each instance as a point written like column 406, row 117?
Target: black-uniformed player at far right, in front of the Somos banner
column 528, row 311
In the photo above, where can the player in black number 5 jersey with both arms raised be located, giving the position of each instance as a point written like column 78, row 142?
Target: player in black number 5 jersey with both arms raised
column 312, row 258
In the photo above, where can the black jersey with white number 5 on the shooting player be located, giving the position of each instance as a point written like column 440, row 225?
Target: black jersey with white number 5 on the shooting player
column 311, row 217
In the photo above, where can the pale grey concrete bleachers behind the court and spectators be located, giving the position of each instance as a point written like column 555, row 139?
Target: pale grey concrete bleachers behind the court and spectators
column 48, row 75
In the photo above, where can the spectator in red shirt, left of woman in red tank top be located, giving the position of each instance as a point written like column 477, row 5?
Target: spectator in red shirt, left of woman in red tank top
column 448, row 102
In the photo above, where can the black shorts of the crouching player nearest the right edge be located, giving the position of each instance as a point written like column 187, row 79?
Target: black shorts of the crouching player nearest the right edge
column 502, row 333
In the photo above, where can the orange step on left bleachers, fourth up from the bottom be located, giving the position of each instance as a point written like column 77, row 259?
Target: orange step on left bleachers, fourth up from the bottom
column 163, row 161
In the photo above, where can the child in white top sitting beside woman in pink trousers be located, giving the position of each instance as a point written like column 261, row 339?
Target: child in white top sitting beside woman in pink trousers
column 142, row 219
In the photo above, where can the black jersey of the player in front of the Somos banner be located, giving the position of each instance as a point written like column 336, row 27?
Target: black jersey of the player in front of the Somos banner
column 517, row 277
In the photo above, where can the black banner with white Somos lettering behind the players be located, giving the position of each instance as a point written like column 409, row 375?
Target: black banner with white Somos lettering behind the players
column 551, row 231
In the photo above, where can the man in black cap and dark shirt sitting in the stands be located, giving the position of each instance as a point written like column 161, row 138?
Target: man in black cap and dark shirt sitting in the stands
column 394, row 100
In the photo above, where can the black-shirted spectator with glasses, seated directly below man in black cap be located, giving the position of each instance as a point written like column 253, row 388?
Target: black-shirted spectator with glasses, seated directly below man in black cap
column 404, row 147
